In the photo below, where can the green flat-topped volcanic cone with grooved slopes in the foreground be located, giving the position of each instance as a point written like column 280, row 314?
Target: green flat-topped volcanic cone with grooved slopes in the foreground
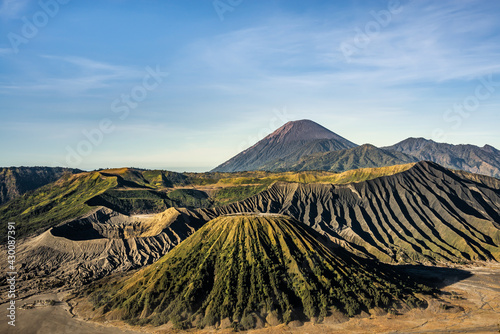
column 245, row 268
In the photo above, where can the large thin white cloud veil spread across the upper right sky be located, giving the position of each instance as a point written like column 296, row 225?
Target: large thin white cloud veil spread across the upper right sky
column 411, row 49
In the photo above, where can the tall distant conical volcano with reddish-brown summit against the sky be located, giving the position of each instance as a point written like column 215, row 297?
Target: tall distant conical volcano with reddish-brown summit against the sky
column 287, row 144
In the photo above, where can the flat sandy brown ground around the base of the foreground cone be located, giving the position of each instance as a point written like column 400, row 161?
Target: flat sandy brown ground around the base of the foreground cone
column 467, row 305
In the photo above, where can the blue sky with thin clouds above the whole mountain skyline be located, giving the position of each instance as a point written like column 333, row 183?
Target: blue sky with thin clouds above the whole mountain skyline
column 78, row 86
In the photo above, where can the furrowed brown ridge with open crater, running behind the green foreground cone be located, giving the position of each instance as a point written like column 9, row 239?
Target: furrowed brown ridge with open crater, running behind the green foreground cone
column 417, row 213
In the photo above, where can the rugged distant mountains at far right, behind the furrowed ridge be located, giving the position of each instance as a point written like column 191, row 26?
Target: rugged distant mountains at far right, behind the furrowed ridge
column 483, row 160
